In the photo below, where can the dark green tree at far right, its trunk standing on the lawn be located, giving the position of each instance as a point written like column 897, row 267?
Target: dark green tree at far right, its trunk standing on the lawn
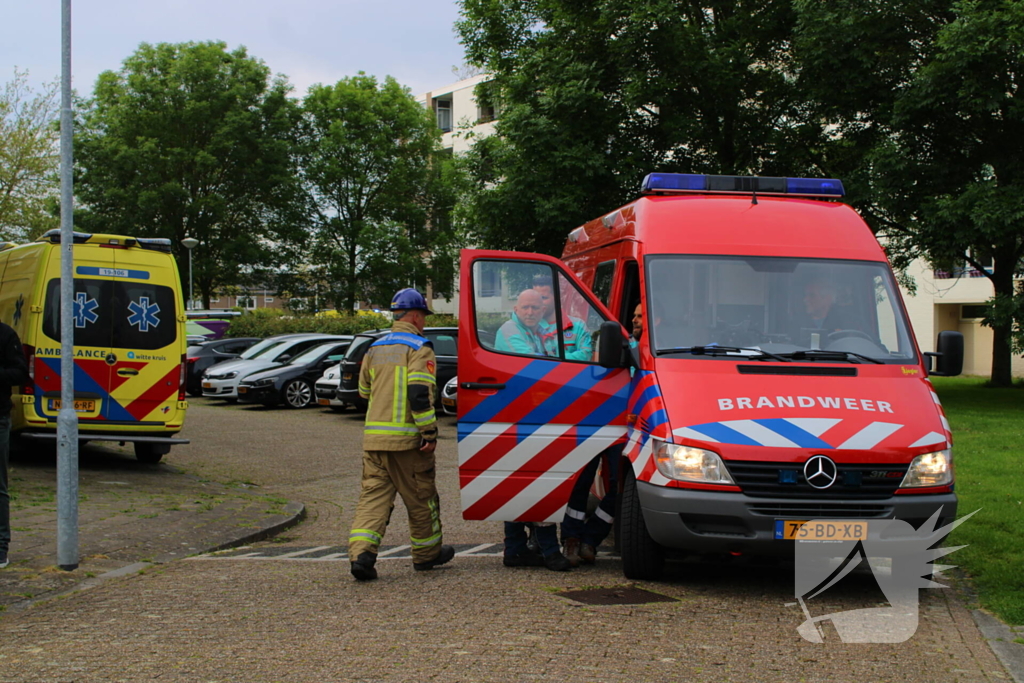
column 933, row 88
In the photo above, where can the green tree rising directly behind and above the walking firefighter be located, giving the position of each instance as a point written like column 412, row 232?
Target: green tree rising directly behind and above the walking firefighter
column 372, row 177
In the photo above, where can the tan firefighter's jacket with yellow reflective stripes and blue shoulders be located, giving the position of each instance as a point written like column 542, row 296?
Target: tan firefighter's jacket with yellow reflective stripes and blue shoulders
column 399, row 379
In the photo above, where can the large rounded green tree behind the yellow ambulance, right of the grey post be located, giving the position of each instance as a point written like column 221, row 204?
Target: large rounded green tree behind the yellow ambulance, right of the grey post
column 193, row 141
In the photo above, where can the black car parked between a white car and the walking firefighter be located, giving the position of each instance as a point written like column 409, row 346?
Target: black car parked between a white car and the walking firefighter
column 291, row 385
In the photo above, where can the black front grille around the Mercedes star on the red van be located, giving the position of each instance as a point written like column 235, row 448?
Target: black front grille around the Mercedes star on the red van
column 856, row 481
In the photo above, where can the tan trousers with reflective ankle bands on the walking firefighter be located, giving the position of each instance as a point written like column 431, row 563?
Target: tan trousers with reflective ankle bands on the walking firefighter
column 411, row 475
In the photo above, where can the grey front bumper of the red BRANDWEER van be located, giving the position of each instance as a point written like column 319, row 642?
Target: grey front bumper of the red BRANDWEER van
column 704, row 522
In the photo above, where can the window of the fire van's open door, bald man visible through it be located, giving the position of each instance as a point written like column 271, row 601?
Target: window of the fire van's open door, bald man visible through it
column 543, row 316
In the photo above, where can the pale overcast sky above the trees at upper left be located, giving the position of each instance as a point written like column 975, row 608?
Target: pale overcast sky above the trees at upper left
column 311, row 41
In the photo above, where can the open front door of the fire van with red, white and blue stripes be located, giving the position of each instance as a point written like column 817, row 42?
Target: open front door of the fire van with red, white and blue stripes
column 535, row 407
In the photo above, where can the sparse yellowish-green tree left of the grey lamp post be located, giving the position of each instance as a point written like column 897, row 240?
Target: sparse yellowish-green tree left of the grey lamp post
column 30, row 147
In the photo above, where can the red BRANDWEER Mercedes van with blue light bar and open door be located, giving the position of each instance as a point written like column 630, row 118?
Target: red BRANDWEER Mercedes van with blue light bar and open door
column 776, row 379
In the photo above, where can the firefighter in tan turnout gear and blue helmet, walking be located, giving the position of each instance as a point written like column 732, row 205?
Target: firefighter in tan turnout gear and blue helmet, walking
column 399, row 440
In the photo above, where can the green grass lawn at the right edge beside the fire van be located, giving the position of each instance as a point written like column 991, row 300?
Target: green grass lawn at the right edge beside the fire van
column 989, row 454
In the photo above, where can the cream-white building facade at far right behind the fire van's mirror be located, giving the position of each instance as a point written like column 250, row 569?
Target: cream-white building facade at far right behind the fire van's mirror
column 952, row 302
